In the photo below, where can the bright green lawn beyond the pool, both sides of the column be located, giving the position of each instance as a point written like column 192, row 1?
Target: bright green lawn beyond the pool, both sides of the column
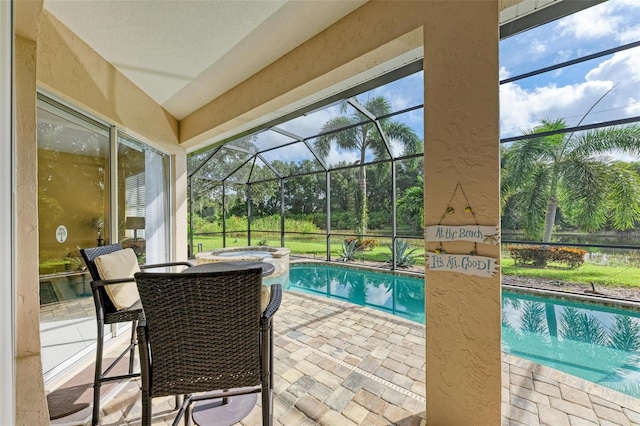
column 618, row 276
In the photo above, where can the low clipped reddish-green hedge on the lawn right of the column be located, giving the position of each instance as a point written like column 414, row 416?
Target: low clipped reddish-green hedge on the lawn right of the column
column 539, row 256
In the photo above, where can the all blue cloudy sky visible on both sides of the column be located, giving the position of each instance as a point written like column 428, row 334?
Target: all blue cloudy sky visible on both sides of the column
column 567, row 93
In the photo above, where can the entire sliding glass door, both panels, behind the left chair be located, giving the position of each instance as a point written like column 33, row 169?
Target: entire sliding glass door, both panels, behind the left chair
column 95, row 187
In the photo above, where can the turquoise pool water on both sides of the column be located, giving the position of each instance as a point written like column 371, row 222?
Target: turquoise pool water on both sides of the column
column 594, row 342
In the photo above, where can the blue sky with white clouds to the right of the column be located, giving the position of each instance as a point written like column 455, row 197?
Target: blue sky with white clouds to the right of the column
column 570, row 92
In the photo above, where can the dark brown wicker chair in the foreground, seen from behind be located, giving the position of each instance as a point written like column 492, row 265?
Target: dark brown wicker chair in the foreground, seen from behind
column 205, row 336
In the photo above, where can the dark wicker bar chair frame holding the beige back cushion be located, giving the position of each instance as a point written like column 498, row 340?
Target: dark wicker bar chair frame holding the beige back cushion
column 106, row 313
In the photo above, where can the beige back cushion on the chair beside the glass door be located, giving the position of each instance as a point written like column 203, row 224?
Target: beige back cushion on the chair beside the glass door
column 119, row 264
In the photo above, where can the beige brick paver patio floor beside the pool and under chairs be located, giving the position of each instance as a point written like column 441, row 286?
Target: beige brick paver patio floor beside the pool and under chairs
column 338, row 364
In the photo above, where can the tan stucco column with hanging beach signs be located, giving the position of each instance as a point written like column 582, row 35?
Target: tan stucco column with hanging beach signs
column 463, row 368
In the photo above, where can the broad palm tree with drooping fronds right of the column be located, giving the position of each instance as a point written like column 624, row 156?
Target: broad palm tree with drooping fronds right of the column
column 575, row 171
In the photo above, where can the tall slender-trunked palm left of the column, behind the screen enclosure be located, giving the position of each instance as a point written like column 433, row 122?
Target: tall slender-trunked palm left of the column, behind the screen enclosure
column 364, row 137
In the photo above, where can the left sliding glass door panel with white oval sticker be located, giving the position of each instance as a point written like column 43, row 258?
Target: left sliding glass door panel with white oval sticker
column 73, row 212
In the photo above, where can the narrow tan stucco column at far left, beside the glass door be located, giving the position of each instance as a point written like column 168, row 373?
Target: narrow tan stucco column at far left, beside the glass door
column 31, row 407
